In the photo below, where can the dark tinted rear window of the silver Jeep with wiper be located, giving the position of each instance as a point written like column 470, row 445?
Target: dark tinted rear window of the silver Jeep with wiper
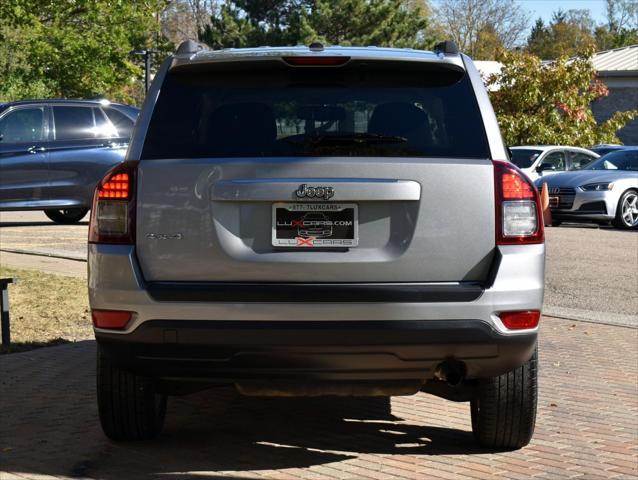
column 316, row 112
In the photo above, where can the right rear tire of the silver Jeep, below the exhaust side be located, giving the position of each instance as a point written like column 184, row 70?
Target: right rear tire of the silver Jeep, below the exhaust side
column 504, row 410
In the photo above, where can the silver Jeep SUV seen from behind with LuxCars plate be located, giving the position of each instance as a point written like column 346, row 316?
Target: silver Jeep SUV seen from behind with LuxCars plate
column 427, row 274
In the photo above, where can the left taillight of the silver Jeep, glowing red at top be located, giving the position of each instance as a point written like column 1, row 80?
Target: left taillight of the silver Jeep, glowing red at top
column 113, row 212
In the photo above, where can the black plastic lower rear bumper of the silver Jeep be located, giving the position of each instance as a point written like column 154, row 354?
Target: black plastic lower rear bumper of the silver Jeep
column 228, row 352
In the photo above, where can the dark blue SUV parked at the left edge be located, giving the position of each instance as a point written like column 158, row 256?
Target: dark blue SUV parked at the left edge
column 54, row 152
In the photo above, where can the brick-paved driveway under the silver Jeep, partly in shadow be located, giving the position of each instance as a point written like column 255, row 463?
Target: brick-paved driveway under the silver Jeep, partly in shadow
column 587, row 425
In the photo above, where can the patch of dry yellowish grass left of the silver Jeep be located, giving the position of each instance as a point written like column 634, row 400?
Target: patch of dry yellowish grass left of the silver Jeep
column 46, row 309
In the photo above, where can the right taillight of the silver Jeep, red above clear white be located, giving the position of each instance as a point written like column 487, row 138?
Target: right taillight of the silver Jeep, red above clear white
column 519, row 218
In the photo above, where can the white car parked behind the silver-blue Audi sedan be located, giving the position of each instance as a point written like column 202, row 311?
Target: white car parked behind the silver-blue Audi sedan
column 541, row 160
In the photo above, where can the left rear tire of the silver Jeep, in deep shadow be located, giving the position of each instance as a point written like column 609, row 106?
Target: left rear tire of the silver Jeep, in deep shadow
column 128, row 405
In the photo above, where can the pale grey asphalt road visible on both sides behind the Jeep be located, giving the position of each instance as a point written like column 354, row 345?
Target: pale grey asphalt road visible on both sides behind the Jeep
column 591, row 272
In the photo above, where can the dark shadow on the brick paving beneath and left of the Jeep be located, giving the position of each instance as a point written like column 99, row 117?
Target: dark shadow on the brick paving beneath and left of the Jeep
column 206, row 433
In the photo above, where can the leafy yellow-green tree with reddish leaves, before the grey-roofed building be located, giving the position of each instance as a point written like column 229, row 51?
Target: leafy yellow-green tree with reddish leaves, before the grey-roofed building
column 550, row 103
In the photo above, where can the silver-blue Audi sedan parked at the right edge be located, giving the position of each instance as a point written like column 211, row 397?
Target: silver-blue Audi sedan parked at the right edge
column 606, row 190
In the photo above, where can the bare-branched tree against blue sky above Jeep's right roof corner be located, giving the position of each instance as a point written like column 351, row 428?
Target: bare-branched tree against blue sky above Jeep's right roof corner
column 471, row 22
